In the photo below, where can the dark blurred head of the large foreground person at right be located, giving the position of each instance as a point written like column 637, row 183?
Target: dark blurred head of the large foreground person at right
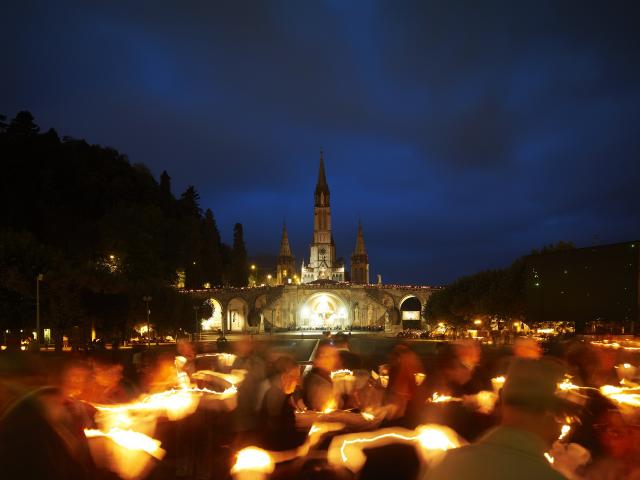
column 529, row 400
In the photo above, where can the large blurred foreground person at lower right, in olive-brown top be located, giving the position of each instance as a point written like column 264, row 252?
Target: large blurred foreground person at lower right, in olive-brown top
column 531, row 421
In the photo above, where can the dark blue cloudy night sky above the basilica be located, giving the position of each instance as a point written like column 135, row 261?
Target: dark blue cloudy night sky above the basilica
column 463, row 134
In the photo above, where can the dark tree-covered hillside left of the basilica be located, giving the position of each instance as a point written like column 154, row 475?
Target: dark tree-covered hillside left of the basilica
column 104, row 233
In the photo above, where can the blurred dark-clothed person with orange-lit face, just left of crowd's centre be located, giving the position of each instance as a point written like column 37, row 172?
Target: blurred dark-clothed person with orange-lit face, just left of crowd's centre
column 278, row 407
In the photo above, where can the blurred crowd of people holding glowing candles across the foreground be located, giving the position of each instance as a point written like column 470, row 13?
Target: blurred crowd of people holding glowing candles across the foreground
column 511, row 429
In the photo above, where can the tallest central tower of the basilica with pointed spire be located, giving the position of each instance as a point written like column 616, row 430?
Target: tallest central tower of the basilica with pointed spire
column 322, row 260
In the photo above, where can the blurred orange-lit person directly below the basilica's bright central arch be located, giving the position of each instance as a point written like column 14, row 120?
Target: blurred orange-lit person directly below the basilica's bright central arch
column 317, row 386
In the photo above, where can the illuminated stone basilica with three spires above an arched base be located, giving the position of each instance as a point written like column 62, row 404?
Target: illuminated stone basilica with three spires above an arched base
column 321, row 295
